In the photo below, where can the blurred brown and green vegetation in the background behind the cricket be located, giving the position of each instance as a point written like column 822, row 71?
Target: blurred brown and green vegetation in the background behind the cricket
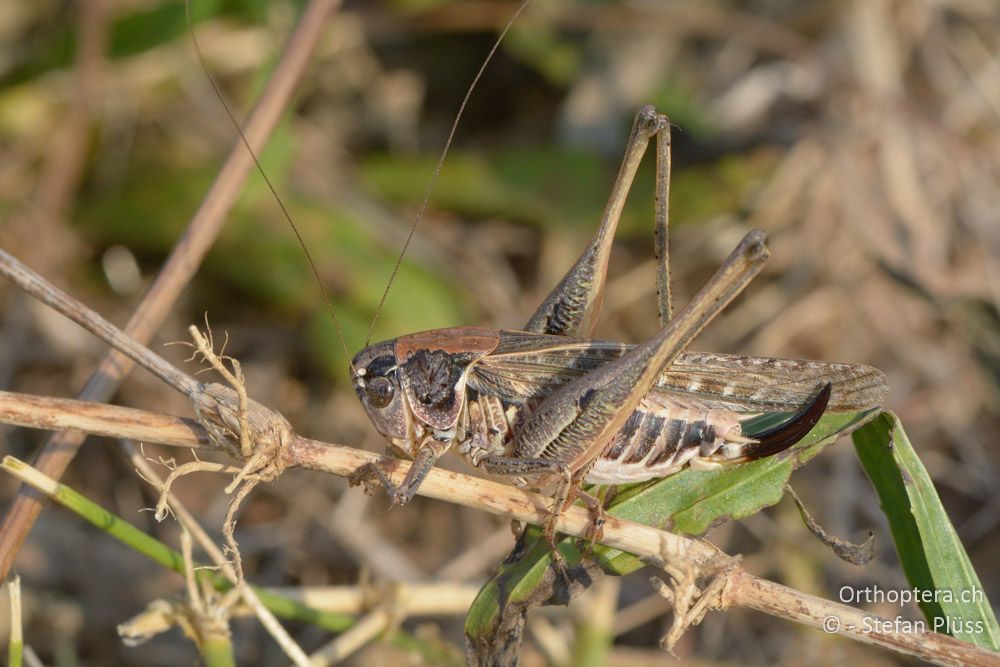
column 862, row 136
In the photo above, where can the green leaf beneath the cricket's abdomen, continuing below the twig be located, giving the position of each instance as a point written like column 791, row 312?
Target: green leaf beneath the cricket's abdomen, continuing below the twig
column 690, row 502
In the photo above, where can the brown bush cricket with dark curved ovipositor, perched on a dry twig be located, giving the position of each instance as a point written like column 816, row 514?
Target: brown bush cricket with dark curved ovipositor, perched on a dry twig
column 549, row 405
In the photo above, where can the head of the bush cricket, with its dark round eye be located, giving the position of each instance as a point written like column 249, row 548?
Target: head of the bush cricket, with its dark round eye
column 376, row 381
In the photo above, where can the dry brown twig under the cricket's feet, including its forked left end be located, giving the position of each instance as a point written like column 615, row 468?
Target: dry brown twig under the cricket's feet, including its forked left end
column 220, row 414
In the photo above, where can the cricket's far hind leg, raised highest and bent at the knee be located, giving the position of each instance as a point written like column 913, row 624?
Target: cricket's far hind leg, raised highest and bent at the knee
column 574, row 305
